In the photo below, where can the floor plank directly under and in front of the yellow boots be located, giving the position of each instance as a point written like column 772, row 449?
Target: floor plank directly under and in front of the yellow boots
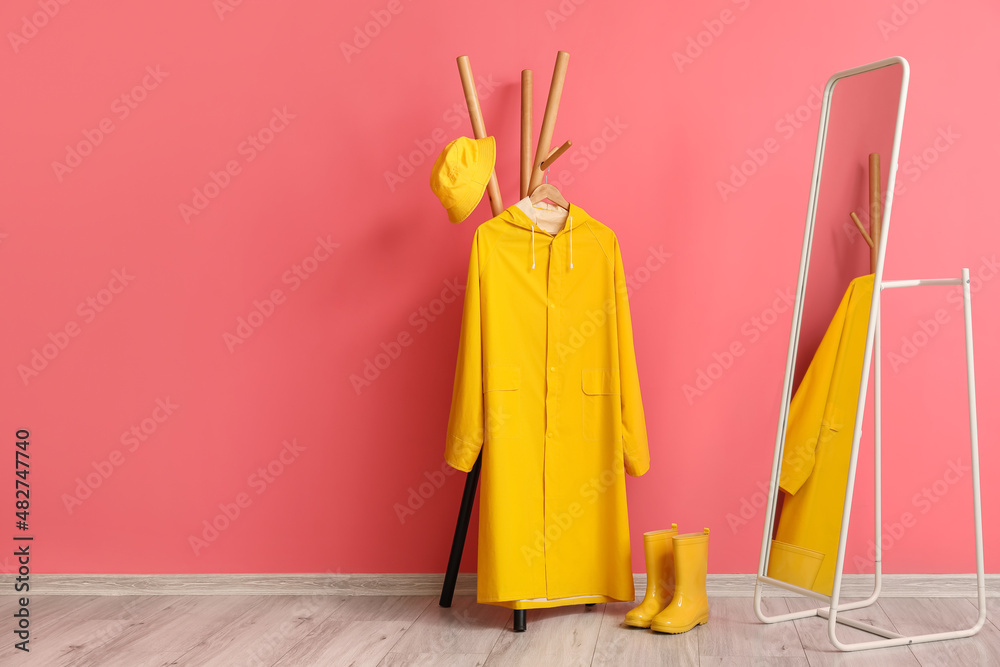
column 619, row 644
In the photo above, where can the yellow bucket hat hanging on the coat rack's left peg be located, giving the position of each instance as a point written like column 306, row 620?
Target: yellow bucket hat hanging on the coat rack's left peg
column 460, row 175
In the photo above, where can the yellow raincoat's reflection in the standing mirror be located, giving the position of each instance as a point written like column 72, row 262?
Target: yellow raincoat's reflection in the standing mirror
column 817, row 451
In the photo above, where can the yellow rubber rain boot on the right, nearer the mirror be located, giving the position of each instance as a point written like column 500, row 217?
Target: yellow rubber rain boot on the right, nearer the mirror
column 689, row 606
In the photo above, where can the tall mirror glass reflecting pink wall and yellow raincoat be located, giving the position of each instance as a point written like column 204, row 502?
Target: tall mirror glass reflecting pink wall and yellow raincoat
column 835, row 303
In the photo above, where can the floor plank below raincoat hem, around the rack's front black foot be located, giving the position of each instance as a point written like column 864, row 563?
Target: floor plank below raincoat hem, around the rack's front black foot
column 555, row 637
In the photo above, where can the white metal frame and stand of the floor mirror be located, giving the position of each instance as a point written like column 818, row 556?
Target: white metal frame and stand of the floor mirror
column 871, row 345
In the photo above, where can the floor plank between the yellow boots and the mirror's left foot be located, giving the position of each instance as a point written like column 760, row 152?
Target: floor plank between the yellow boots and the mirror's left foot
column 734, row 631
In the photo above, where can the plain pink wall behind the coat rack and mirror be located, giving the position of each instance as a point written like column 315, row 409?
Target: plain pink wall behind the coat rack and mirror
column 244, row 223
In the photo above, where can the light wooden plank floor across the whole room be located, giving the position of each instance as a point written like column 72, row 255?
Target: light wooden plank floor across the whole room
column 137, row 631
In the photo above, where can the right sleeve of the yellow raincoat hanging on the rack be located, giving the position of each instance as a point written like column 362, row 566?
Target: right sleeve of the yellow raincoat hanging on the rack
column 634, row 442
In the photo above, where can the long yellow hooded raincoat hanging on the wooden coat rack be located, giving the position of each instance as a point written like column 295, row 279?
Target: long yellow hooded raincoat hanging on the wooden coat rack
column 546, row 384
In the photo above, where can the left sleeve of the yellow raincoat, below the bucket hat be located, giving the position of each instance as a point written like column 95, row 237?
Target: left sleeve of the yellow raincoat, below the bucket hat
column 465, row 423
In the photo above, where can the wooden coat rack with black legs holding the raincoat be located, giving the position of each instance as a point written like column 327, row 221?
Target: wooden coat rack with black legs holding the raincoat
column 532, row 172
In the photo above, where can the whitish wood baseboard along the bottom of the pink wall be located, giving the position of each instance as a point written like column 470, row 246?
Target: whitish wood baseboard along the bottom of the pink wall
column 718, row 585
